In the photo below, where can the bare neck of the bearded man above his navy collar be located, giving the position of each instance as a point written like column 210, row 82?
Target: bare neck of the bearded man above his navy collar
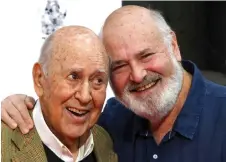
column 160, row 129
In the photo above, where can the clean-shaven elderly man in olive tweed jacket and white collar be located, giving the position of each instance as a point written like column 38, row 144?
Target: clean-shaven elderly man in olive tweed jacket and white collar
column 70, row 79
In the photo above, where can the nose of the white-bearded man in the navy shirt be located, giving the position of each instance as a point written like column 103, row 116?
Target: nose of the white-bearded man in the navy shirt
column 137, row 74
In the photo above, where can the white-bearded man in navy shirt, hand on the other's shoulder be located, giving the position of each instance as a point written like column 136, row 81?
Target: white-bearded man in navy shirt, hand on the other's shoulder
column 165, row 109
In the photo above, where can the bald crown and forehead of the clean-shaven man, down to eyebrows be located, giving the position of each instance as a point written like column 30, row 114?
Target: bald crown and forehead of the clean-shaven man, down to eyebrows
column 72, row 43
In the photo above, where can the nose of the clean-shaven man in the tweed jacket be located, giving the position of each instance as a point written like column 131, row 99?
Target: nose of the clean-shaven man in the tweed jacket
column 83, row 94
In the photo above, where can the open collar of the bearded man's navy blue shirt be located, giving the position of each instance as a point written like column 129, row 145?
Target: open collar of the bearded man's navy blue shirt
column 188, row 119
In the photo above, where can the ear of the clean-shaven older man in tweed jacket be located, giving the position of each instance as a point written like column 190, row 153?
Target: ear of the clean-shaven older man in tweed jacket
column 38, row 79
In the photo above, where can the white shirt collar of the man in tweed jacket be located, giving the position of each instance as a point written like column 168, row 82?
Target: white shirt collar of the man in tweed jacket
column 53, row 143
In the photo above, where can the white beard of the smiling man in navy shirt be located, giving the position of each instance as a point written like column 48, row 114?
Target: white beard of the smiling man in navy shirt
column 161, row 103
